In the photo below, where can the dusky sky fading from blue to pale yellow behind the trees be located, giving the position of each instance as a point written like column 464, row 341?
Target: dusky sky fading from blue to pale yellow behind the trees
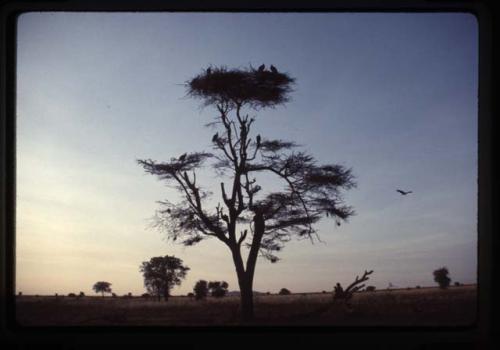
column 391, row 95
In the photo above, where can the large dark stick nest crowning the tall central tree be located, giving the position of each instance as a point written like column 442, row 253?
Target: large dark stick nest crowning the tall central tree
column 241, row 86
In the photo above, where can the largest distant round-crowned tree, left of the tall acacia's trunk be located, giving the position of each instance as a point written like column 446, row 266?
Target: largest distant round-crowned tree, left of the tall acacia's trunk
column 162, row 273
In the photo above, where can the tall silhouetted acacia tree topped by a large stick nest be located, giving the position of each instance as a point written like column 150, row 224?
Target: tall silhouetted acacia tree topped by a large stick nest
column 247, row 216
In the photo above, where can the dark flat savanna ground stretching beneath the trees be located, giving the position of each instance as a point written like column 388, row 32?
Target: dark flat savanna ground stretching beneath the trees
column 404, row 307
